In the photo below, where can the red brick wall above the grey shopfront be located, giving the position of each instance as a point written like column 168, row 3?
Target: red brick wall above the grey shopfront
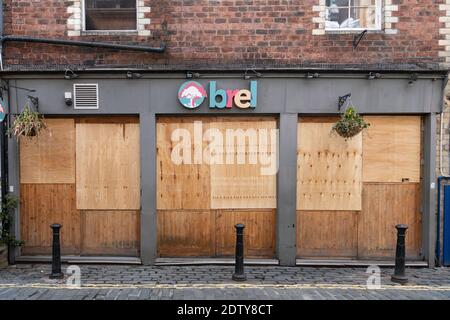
column 227, row 31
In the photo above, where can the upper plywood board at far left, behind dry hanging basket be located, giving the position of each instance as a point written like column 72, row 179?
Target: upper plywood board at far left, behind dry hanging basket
column 50, row 157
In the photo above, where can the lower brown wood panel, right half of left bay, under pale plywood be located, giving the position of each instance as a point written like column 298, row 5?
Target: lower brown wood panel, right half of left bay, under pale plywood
column 110, row 233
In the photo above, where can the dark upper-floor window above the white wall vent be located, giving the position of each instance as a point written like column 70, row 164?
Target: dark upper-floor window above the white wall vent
column 111, row 15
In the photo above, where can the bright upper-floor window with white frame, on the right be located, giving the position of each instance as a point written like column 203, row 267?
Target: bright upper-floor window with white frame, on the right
column 348, row 15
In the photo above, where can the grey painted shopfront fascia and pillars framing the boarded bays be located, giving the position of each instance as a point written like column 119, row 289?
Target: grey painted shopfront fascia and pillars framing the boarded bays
column 285, row 95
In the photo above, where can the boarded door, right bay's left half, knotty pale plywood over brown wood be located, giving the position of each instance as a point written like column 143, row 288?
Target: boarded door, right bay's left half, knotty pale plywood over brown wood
column 328, row 190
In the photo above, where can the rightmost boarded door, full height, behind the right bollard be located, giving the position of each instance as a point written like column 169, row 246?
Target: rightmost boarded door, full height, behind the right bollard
column 391, row 190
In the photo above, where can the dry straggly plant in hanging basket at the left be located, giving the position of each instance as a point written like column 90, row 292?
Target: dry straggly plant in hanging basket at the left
column 28, row 123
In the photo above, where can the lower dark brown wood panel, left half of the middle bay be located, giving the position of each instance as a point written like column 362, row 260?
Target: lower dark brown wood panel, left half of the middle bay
column 186, row 233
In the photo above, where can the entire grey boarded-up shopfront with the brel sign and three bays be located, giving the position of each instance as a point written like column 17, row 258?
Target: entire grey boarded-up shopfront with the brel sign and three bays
column 166, row 165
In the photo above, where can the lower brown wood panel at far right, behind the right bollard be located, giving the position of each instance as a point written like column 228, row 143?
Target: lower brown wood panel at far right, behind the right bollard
column 385, row 206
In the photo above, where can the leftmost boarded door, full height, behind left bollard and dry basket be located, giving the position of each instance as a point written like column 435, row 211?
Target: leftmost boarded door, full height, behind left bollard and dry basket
column 47, row 189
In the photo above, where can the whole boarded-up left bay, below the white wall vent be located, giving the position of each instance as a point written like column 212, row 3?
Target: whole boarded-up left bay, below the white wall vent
column 83, row 173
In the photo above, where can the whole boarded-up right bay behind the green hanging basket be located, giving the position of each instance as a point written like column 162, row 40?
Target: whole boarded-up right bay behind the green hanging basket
column 351, row 193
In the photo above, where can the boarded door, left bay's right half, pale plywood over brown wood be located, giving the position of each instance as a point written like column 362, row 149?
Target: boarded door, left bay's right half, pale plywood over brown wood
column 108, row 185
